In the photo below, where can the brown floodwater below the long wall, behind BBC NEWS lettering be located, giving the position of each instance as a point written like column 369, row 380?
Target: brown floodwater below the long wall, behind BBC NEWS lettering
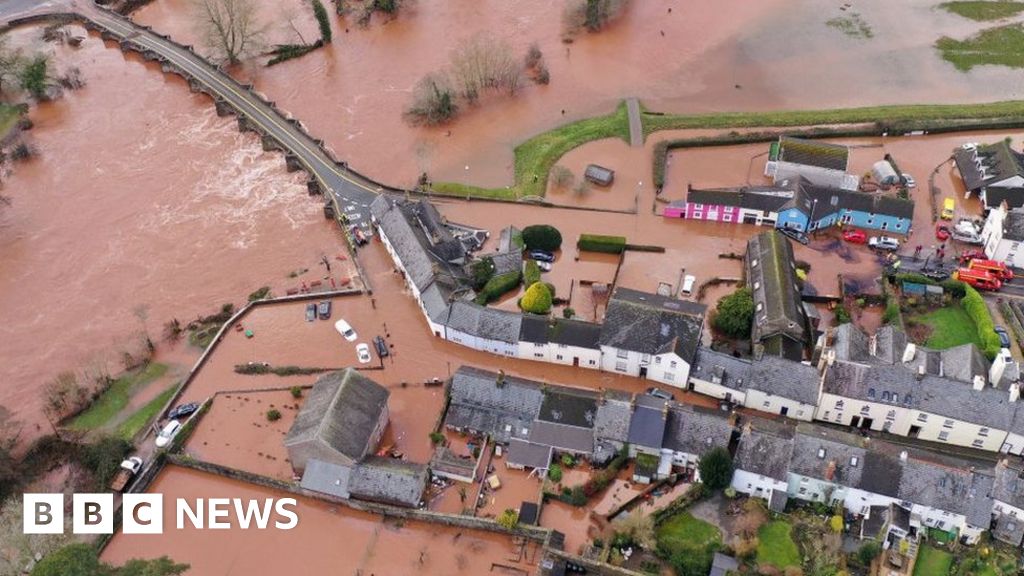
column 329, row 540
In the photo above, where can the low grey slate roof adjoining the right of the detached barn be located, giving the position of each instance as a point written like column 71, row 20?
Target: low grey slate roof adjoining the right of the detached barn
column 390, row 481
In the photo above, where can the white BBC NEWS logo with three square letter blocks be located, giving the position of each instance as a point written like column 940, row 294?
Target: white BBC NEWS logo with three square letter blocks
column 144, row 514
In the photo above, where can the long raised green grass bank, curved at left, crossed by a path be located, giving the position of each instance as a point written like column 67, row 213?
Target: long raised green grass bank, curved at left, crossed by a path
column 536, row 157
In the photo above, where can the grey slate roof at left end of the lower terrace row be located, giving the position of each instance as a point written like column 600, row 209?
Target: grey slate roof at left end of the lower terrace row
column 479, row 403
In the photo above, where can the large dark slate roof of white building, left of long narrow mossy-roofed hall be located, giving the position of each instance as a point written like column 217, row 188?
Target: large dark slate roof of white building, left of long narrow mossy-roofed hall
column 652, row 324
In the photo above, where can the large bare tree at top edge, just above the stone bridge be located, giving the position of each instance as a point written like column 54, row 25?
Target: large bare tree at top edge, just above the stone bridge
column 230, row 28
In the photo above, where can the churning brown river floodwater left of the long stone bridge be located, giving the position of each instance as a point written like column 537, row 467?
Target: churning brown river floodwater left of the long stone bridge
column 141, row 200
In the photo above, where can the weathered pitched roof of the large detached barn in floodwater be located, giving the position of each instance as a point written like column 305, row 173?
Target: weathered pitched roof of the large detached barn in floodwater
column 342, row 413
